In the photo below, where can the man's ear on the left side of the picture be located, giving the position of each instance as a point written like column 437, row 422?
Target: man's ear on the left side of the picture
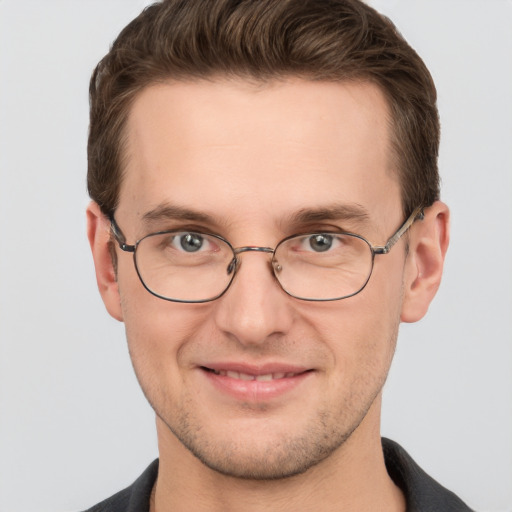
column 98, row 232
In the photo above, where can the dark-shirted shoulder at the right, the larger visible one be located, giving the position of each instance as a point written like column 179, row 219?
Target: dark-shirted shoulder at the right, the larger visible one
column 421, row 491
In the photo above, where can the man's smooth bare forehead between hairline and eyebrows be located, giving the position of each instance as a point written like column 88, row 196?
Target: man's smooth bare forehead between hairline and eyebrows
column 234, row 149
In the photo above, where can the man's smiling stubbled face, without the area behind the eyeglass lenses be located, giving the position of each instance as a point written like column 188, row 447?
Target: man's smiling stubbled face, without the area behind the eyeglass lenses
column 258, row 384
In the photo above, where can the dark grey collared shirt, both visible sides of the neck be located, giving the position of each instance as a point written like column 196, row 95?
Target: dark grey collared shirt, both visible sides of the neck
column 422, row 493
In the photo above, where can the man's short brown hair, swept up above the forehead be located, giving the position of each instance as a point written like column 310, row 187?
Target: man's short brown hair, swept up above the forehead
column 324, row 40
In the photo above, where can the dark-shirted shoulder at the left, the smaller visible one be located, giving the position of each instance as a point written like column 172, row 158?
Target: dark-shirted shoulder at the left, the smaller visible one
column 134, row 498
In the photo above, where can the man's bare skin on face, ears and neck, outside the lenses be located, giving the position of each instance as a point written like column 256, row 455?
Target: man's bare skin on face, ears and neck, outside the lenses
column 250, row 157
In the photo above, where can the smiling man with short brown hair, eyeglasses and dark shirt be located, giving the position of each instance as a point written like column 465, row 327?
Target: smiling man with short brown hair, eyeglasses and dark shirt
column 265, row 213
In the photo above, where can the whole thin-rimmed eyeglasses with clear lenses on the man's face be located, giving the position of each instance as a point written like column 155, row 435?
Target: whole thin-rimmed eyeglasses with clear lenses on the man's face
column 193, row 267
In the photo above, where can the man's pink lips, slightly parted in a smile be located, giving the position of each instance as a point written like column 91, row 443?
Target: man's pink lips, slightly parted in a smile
column 255, row 383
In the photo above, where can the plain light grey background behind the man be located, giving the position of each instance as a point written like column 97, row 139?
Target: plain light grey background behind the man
column 74, row 426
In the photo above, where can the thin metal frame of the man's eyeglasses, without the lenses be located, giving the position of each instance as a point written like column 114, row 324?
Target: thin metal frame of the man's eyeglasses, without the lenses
column 235, row 262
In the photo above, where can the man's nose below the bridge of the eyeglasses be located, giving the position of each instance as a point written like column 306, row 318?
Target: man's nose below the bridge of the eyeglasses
column 255, row 308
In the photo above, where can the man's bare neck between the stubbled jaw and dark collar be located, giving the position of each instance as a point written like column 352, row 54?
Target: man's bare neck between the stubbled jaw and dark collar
column 354, row 478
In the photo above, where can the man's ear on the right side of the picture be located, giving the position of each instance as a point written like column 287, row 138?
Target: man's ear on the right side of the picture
column 428, row 243
